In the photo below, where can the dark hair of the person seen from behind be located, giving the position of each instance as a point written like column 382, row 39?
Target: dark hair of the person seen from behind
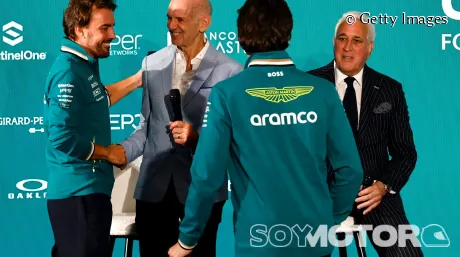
column 264, row 25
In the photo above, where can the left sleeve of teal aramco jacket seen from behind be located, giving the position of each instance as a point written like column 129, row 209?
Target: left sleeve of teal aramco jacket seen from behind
column 208, row 174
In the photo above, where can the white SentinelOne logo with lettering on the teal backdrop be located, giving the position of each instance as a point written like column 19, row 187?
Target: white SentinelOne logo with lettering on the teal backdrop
column 12, row 36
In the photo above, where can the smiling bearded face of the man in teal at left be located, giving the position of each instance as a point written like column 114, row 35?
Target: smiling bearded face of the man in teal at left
column 97, row 35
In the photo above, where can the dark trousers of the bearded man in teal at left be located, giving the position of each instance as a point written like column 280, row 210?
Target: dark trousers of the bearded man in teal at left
column 81, row 225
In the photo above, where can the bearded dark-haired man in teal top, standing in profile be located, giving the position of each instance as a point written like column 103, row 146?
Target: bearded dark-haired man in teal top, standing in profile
column 79, row 152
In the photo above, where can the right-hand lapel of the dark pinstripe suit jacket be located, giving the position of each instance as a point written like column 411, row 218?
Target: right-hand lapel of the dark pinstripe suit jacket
column 369, row 96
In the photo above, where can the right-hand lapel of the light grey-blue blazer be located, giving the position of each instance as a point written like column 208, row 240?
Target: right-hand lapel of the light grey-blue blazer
column 207, row 65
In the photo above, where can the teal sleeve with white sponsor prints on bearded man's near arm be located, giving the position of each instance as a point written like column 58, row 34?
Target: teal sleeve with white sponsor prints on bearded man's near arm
column 64, row 107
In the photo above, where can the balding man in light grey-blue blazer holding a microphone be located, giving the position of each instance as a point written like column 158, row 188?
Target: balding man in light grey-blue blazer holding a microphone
column 193, row 66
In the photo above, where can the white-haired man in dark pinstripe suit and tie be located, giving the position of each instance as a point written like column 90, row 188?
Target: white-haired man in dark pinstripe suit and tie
column 377, row 111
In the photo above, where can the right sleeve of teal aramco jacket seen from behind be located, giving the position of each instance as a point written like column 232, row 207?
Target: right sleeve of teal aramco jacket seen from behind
column 344, row 158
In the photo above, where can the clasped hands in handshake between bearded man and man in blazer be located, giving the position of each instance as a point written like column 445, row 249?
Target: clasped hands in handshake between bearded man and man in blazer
column 114, row 154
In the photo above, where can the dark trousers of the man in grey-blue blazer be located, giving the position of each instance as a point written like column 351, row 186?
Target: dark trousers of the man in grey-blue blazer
column 157, row 226
